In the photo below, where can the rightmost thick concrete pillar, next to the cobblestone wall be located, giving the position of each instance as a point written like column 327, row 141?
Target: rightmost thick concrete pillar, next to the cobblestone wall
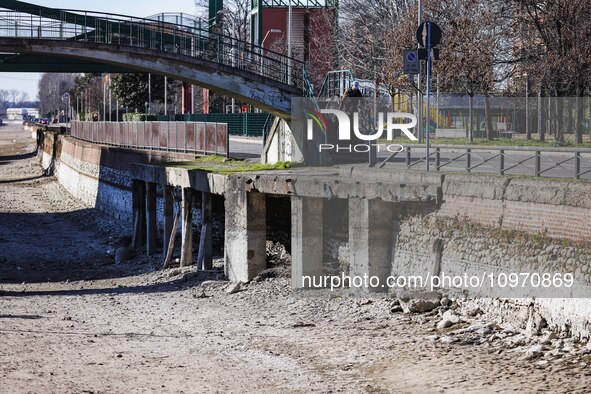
column 372, row 227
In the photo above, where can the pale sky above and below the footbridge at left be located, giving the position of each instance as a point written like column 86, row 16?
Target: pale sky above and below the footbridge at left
column 28, row 81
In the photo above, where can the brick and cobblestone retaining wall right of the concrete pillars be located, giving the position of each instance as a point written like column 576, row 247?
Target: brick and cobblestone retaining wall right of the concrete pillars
column 512, row 225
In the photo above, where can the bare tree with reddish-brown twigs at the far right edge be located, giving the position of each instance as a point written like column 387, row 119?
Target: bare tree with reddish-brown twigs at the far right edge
column 554, row 49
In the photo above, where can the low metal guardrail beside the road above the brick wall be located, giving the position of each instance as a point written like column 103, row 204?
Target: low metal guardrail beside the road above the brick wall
column 534, row 161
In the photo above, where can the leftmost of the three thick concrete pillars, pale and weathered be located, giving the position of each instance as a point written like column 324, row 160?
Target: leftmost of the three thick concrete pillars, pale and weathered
column 246, row 235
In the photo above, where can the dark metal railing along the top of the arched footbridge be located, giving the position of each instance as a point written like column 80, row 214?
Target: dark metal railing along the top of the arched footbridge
column 161, row 35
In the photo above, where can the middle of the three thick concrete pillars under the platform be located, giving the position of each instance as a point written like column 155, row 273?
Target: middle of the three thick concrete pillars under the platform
column 306, row 239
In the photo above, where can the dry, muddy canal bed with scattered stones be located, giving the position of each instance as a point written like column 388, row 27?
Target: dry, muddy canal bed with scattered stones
column 72, row 321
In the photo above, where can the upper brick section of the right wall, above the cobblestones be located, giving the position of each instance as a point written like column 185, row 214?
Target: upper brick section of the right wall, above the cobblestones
column 558, row 209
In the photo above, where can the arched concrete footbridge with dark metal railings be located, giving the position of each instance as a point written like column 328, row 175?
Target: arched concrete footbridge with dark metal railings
column 42, row 39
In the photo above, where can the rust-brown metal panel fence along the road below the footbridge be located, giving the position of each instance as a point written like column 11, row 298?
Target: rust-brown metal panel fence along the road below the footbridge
column 188, row 137
